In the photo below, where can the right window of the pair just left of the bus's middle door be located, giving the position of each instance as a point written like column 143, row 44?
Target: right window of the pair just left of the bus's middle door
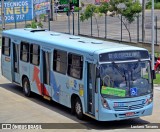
column 34, row 54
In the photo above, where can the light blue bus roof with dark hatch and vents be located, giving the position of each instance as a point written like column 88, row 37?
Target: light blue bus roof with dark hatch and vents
column 79, row 43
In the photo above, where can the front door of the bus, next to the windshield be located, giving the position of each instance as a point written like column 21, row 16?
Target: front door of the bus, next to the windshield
column 92, row 96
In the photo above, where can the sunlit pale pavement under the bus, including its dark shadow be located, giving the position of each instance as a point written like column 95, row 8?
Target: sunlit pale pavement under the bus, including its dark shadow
column 16, row 108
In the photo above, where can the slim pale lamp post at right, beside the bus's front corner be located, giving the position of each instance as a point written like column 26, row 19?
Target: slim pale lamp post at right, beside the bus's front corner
column 152, row 14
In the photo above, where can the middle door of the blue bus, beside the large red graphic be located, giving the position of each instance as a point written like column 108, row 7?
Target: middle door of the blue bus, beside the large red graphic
column 45, row 68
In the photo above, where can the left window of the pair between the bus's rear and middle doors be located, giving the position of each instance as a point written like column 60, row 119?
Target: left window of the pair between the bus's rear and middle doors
column 24, row 51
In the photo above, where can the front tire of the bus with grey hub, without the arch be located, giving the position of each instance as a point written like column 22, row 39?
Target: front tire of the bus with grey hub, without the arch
column 78, row 109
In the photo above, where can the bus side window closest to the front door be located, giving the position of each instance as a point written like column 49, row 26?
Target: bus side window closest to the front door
column 75, row 66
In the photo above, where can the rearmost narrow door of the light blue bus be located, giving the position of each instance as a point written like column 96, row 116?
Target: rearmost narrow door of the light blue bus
column 15, row 59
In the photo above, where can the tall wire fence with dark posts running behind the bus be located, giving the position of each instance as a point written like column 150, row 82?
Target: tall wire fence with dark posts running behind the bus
column 105, row 27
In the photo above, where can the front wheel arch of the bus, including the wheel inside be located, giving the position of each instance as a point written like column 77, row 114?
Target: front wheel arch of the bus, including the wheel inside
column 76, row 106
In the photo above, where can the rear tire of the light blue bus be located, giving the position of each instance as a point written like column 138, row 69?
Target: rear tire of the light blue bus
column 26, row 87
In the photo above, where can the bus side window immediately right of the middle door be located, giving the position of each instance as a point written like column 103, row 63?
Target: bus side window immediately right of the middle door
column 60, row 61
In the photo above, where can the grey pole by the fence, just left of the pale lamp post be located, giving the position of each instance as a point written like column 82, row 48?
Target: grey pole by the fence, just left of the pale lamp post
column 143, row 20
